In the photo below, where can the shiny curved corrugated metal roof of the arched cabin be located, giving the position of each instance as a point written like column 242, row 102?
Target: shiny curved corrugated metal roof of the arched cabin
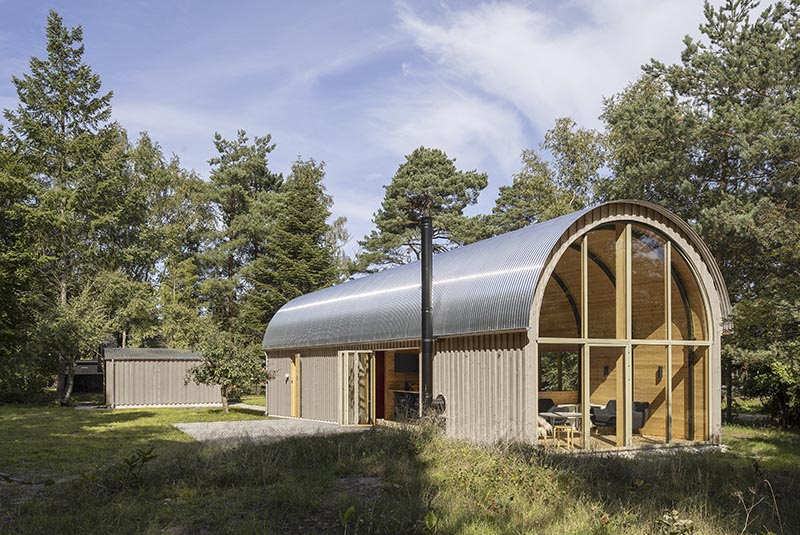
column 483, row 287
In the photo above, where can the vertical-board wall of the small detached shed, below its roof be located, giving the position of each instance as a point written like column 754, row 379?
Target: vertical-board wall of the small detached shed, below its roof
column 155, row 382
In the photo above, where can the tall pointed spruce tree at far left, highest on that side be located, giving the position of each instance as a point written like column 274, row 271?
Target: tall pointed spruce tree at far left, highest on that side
column 61, row 134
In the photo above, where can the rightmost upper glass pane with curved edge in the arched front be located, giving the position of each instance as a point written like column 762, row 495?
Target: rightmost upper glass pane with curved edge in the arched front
column 688, row 313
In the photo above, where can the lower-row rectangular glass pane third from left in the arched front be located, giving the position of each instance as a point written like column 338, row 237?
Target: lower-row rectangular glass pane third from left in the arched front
column 649, row 411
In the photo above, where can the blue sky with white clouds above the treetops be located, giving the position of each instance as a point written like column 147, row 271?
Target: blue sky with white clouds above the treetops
column 357, row 84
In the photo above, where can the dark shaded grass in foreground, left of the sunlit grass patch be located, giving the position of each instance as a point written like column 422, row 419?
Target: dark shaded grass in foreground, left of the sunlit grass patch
column 296, row 485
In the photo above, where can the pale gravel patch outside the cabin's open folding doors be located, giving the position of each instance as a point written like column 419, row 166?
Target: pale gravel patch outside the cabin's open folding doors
column 261, row 429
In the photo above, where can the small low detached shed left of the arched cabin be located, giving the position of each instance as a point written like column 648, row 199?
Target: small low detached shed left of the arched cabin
column 145, row 377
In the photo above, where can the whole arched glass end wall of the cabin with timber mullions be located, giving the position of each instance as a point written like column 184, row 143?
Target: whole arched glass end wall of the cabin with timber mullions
column 623, row 342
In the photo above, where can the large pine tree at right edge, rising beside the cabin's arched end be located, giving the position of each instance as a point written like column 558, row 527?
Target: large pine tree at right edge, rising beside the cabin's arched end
column 716, row 139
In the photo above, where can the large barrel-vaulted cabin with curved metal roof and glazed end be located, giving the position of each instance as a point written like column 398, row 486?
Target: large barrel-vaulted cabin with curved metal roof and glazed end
column 605, row 323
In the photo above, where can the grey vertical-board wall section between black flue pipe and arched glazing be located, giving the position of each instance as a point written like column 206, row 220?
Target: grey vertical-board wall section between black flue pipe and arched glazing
column 483, row 381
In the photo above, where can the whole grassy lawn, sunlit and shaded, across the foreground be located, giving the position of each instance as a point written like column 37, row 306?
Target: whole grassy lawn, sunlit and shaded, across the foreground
column 380, row 481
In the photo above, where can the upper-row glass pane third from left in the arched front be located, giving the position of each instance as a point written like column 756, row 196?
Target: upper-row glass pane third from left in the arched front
column 648, row 285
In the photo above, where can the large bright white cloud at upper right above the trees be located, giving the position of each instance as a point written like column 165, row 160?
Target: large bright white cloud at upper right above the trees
column 548, row 63
